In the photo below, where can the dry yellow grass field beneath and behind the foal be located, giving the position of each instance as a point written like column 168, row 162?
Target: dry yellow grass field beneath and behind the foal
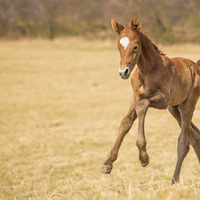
column 60, row 108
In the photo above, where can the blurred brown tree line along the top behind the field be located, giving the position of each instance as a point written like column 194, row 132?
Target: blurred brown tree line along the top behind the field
column 165, row 21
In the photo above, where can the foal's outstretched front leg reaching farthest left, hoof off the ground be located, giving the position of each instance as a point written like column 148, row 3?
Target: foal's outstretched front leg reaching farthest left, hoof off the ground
column 125, row 126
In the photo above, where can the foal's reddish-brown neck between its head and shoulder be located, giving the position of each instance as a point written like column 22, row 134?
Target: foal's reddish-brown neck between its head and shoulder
column 149, row 55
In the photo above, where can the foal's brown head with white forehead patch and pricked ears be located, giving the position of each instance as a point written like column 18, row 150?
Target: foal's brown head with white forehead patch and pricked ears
column 128, row 45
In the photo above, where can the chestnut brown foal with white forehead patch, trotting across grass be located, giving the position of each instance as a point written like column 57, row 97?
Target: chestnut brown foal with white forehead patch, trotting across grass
column 158, row 82
